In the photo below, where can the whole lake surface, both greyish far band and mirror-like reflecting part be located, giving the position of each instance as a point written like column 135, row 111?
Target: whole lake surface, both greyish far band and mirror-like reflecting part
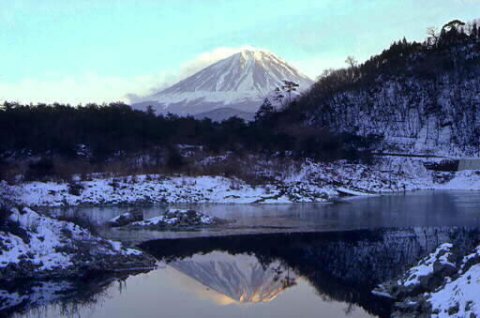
column 297, row 261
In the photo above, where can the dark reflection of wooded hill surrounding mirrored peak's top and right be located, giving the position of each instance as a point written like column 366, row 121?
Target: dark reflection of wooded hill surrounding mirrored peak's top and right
column 342, row 266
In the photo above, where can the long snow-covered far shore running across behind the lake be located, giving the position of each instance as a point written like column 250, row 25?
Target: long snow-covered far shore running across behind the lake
column 312, row 182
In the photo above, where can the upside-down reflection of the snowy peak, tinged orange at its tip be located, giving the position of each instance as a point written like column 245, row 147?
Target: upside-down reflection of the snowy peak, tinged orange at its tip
column 241, row 277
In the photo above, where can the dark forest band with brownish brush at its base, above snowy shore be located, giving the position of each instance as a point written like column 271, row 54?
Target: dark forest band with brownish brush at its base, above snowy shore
column 40, row 141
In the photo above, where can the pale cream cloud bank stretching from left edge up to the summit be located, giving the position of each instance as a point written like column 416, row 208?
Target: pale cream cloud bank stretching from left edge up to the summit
column 98, row 88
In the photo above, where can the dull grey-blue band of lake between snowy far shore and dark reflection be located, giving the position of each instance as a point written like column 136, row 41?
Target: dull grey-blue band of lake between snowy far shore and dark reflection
column 441, row 208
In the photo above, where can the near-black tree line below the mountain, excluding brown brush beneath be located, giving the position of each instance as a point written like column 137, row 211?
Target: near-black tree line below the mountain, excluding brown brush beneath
column 116, row 128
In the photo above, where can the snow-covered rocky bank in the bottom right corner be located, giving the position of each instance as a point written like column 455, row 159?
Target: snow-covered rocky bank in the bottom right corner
column 445, row 283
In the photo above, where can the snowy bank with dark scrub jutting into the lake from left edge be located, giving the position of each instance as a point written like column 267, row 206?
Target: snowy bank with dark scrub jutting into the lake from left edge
column 36, row 246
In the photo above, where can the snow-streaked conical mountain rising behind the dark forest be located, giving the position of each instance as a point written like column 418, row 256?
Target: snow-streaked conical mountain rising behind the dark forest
column 235, row 85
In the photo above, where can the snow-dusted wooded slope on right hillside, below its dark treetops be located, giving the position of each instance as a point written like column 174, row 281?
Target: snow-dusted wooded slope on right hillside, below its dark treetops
column 436, row 114
